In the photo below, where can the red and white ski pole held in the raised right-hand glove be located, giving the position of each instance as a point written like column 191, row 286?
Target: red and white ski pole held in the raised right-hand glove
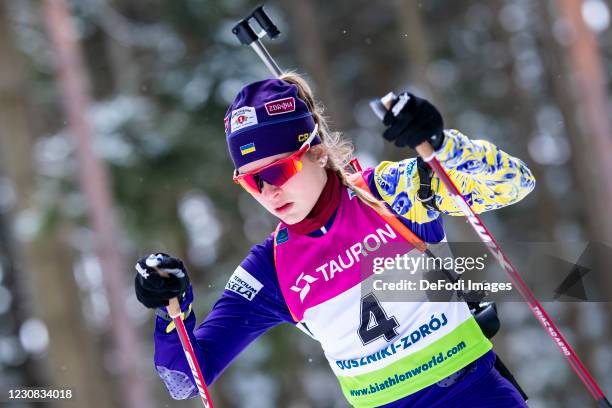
column 428, row 154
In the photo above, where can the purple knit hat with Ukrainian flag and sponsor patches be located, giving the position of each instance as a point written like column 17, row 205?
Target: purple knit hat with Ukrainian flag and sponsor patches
column 265, row 119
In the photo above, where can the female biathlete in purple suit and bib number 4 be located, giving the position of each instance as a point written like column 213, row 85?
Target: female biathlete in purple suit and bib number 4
column 306, row 273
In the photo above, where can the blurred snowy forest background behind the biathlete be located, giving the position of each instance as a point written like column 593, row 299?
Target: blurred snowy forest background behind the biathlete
column 147, row 88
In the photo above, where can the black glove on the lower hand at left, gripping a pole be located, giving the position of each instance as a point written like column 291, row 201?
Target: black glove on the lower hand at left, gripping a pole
column 153, row 290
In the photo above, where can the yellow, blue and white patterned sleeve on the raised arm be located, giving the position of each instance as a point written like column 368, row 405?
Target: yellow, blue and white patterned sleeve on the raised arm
column 486, row 176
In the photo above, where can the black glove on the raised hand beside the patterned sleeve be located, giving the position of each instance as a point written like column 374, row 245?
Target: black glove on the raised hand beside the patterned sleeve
column 412, row 121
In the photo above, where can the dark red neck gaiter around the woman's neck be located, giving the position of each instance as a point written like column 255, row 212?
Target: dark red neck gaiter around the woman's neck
column 323, row 209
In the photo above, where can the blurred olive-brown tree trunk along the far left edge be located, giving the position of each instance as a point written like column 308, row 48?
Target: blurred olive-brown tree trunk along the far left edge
column 41, row 270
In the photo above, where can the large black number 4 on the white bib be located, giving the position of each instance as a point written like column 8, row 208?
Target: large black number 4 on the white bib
column 374, row 321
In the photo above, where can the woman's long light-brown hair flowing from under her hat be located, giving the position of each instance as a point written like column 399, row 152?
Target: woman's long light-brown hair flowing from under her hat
column 338, row 150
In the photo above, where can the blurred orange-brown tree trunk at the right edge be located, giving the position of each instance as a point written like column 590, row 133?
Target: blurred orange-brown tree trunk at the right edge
column 578, row 64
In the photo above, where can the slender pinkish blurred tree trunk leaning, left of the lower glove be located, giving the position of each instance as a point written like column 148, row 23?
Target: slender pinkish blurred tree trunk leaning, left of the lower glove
column 94, row 182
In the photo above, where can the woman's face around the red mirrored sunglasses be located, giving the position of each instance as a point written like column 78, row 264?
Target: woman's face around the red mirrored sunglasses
column 294, row 200
